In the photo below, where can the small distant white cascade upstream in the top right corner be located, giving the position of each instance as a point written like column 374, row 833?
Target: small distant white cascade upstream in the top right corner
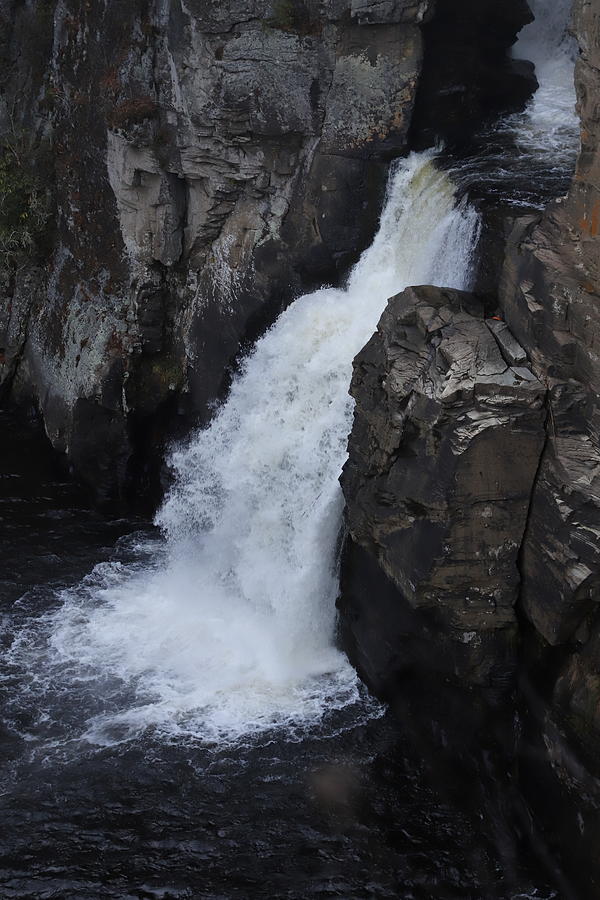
column 550, row 126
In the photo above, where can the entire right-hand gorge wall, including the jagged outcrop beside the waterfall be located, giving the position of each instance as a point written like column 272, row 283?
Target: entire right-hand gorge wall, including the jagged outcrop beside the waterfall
column 473, row 490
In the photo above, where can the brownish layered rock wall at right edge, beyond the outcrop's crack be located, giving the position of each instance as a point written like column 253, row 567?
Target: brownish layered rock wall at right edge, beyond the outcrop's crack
column 550, row 294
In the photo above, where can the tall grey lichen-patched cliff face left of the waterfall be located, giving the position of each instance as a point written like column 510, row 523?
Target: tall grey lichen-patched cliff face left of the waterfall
column 209, row 161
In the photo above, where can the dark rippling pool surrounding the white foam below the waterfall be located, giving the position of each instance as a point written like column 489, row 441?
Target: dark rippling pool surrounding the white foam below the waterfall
column 354, row 809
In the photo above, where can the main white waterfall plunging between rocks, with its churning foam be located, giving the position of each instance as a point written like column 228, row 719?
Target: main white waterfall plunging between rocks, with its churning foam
column 229, row 629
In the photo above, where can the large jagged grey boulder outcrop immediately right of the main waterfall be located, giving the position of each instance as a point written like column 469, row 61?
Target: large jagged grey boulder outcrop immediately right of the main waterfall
column 446, row 441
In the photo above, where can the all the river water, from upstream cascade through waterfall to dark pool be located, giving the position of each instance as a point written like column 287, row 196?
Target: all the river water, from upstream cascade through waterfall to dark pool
column 177, row 720
